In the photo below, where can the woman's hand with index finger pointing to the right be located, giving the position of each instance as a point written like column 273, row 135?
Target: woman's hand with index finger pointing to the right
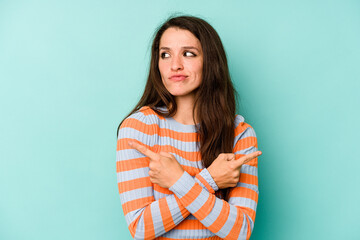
column 225, row 169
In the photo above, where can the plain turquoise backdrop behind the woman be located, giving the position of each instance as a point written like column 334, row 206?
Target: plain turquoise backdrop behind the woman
column 71, row 70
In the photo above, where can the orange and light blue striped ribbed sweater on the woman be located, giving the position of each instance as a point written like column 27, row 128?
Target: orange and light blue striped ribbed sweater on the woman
column 192, row 208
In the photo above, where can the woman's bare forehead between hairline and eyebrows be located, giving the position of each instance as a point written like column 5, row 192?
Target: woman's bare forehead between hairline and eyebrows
column 176, row 37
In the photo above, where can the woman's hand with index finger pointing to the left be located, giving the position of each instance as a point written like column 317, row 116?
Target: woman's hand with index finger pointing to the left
column 164, row 168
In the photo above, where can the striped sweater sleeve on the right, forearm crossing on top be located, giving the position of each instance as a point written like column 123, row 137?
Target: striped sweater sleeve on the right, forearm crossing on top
column 232, row 219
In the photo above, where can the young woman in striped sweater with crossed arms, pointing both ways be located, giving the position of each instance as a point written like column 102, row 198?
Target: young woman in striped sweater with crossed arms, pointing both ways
column 186, row 163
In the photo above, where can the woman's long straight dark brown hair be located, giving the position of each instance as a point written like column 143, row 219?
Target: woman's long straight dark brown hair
column 215, row 101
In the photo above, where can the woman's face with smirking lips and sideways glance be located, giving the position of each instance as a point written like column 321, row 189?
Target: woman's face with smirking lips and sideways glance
column 180, row 62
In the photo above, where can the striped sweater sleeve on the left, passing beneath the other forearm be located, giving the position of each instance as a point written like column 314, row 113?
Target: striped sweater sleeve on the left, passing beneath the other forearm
column 146, row 217
